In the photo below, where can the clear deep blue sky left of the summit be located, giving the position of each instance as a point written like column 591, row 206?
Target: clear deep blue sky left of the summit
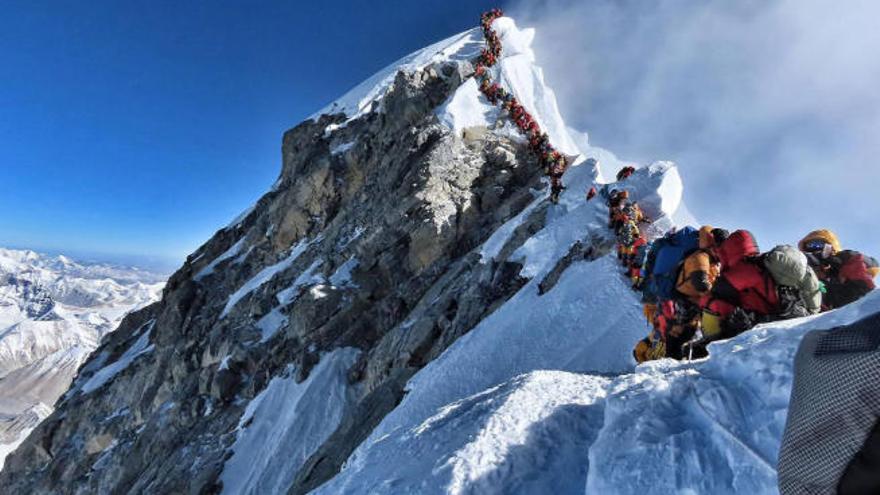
column 140, row 128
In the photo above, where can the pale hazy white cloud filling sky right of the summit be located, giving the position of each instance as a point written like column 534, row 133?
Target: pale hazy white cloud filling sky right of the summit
column 778, row 93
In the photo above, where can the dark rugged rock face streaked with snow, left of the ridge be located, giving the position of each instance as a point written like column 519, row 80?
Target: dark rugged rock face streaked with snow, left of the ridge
column 392, row 196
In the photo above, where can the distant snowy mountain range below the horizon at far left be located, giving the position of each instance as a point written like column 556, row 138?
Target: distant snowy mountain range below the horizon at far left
column 53, row 313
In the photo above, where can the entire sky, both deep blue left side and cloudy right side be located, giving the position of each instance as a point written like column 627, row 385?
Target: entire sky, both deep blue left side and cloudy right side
column 134, row 130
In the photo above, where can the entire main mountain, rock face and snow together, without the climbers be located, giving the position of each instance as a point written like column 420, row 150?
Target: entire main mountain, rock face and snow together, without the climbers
column 406, row 312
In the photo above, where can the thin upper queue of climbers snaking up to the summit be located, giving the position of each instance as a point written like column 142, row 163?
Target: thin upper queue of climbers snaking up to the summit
column 555, row 163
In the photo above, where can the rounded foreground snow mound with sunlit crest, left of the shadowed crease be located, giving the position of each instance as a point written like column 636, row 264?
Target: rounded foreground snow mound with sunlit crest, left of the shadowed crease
column 527, row 435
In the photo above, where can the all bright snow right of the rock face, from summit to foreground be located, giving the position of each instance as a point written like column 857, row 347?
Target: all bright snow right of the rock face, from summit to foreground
column 541, row 397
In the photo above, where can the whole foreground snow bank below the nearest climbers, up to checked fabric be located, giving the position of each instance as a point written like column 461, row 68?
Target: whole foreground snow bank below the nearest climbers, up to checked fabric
column 713, row 426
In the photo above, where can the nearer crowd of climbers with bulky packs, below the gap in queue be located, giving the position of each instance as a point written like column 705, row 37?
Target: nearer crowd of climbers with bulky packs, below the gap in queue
column 700, row 285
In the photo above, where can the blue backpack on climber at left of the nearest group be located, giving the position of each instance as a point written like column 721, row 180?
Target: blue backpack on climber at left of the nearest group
column 661, row 266
